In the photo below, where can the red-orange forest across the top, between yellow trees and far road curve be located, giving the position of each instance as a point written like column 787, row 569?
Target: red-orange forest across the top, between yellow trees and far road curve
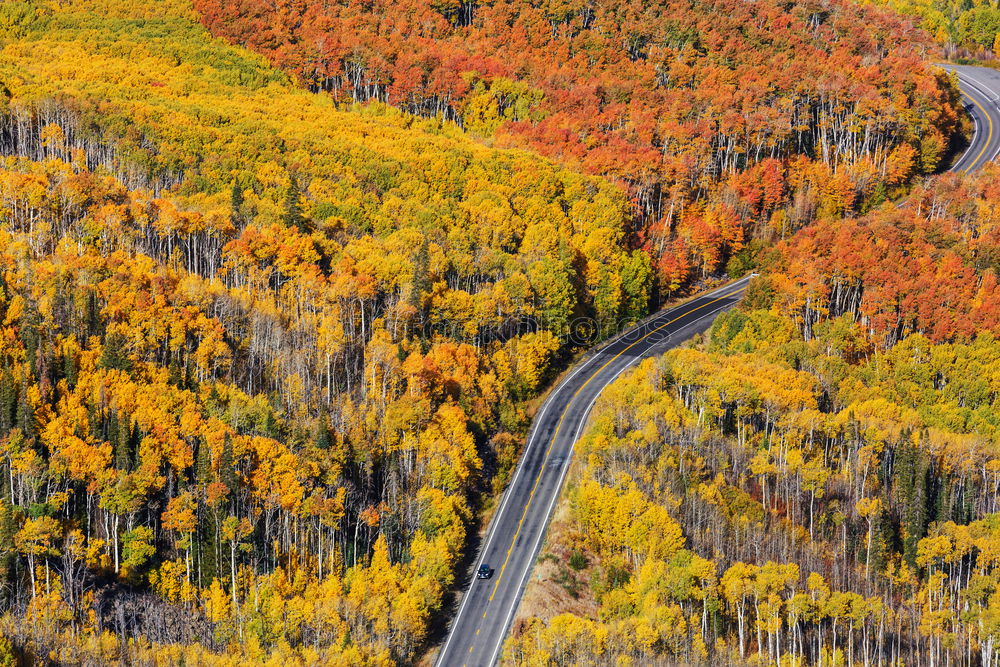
column 725, row 120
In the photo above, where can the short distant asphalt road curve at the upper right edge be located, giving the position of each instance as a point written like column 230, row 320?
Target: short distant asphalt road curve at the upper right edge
column 981, row 93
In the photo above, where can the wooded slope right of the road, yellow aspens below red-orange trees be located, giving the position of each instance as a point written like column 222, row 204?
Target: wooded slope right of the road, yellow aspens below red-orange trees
column 816, row 481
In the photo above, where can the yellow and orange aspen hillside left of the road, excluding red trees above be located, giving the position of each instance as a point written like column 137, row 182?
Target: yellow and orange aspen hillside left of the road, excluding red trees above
column 260, row 356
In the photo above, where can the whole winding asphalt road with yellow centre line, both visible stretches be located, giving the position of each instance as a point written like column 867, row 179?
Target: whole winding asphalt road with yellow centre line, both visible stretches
column 514, row 537
